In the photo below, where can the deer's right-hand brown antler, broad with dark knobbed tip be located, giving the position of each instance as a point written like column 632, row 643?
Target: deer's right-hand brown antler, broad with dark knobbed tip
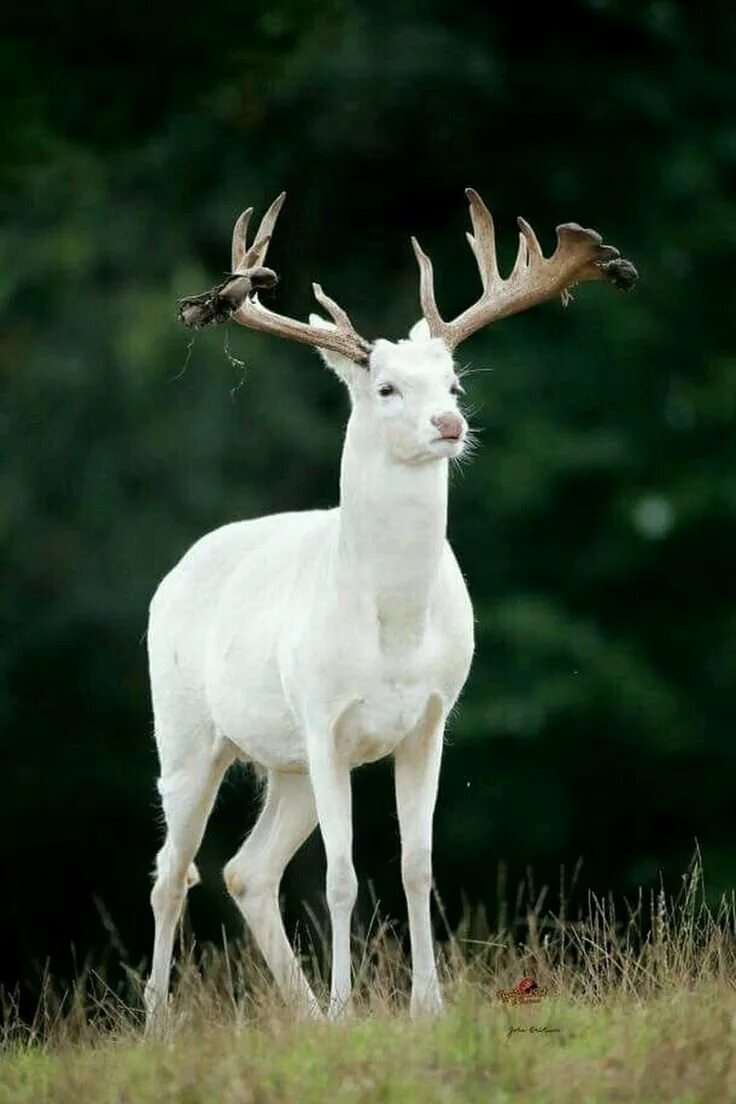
column 580, row 256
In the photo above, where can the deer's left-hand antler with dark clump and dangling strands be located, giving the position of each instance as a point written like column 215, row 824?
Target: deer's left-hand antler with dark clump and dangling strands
column 237, row 298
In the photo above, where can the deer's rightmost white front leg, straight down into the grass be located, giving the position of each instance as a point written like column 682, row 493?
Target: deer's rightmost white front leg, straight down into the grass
column 418, row 765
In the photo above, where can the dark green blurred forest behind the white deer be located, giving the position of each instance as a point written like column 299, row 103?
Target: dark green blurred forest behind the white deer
column 596, row 526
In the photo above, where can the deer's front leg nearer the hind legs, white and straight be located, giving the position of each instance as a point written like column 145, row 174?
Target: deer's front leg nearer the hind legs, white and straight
column 333, row 795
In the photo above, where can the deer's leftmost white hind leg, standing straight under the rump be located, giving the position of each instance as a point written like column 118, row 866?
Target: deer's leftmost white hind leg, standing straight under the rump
column 188, row 793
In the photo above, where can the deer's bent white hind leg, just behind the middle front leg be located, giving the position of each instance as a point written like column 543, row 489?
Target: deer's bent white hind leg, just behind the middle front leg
column 254, row 875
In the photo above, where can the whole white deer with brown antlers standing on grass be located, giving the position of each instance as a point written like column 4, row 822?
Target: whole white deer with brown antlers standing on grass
column 312, row 643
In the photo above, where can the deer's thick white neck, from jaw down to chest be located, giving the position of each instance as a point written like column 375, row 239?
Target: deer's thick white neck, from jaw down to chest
column 393, row 521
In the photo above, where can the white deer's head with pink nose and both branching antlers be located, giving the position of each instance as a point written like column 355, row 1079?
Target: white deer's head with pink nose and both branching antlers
column 406, row 394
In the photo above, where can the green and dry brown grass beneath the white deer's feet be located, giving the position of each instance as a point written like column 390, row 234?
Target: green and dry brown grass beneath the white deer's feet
column 642, row 1010
